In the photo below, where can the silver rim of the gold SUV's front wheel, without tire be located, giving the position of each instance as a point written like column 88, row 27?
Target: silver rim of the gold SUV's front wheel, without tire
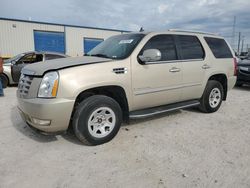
column 101, row 122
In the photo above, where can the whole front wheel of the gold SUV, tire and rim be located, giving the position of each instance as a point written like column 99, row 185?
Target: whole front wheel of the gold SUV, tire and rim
column 97, row 120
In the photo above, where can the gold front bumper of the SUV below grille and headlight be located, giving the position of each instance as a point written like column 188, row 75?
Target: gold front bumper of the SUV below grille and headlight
column 47, row 115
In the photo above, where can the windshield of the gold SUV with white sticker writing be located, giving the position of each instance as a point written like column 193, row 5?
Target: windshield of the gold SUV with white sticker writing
column 117, row 47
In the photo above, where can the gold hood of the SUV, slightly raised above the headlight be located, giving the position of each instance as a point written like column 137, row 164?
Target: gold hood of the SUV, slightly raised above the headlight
column 38, row 69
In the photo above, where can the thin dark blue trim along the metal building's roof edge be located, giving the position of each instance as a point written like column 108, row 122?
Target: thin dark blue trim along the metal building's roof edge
column 64, row 25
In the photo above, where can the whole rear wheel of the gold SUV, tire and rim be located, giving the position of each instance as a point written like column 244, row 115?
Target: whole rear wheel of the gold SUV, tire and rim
column 212, row 97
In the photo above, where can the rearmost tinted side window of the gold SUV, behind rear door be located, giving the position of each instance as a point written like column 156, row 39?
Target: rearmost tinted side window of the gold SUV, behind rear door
column 219, row 47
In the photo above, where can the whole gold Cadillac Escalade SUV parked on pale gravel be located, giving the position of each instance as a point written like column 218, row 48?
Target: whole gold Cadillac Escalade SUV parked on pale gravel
column 127, row 76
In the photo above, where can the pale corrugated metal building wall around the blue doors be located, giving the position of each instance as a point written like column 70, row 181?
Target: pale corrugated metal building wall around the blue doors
column 17, row 36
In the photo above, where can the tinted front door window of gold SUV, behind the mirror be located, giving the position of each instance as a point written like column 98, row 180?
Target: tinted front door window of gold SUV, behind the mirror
column 164, row 43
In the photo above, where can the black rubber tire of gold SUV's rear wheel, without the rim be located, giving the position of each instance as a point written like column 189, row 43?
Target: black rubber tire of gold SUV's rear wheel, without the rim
column 212, row 84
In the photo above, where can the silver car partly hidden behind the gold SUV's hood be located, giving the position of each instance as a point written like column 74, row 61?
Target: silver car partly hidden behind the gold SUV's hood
column 13, row 66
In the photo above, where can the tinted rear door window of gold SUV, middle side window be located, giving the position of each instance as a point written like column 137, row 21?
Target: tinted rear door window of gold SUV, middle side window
column 190, row 47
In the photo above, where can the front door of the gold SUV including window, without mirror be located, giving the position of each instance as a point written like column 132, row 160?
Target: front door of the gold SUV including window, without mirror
column 157, row 83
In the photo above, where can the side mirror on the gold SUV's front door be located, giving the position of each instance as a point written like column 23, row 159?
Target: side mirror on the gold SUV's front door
column 150, row 55
